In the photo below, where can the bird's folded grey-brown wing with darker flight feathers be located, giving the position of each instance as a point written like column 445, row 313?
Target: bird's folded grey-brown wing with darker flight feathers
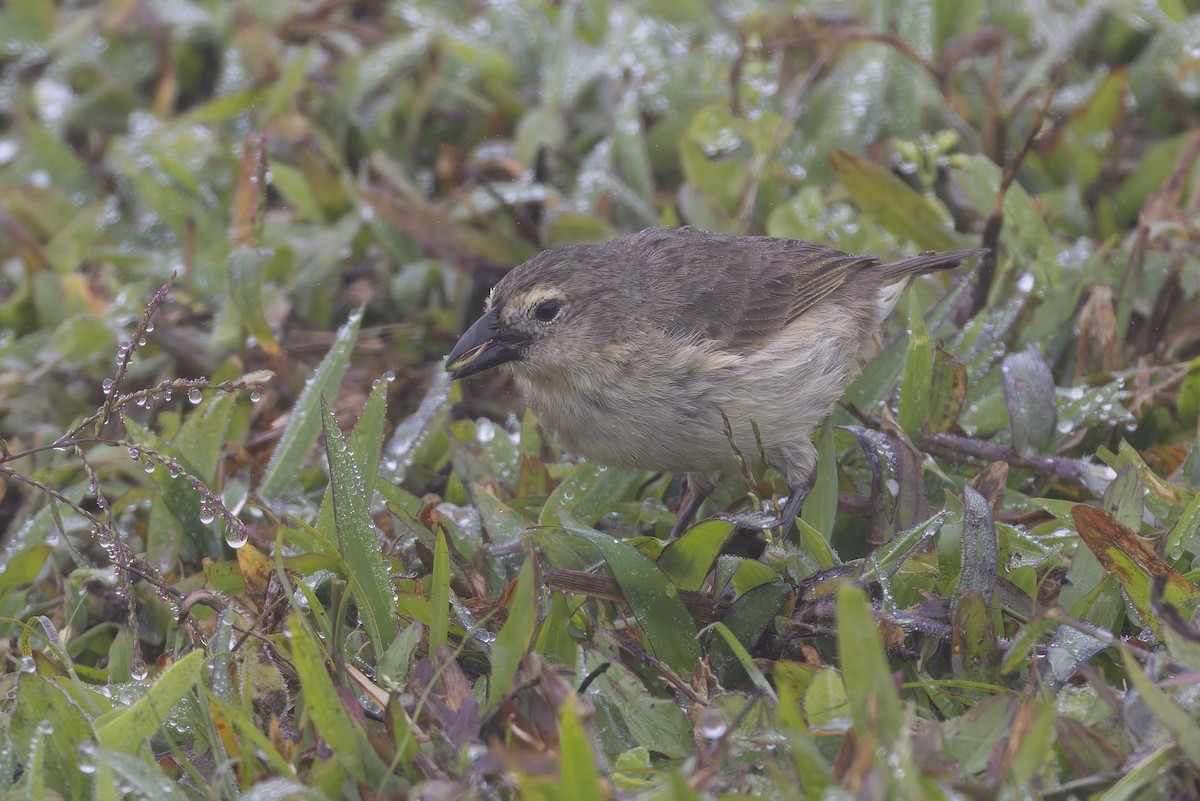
column 743, row 292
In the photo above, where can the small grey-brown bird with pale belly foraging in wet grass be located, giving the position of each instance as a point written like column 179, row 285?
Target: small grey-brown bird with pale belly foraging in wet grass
column 677, row 350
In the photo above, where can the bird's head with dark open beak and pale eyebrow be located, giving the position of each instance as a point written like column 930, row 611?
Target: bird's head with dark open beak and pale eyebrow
column 547, row 316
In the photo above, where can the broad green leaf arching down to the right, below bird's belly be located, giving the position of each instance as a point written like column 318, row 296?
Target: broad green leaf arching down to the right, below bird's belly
column 653, row 598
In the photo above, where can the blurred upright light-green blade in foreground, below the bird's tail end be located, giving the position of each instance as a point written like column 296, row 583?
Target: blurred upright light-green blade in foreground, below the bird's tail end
column 874, row 703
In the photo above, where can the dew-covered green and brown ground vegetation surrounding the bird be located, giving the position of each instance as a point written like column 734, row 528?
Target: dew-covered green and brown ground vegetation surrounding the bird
column 232, row 232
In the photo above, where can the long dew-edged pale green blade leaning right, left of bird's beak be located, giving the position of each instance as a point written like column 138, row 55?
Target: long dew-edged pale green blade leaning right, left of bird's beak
column 305, row 421
